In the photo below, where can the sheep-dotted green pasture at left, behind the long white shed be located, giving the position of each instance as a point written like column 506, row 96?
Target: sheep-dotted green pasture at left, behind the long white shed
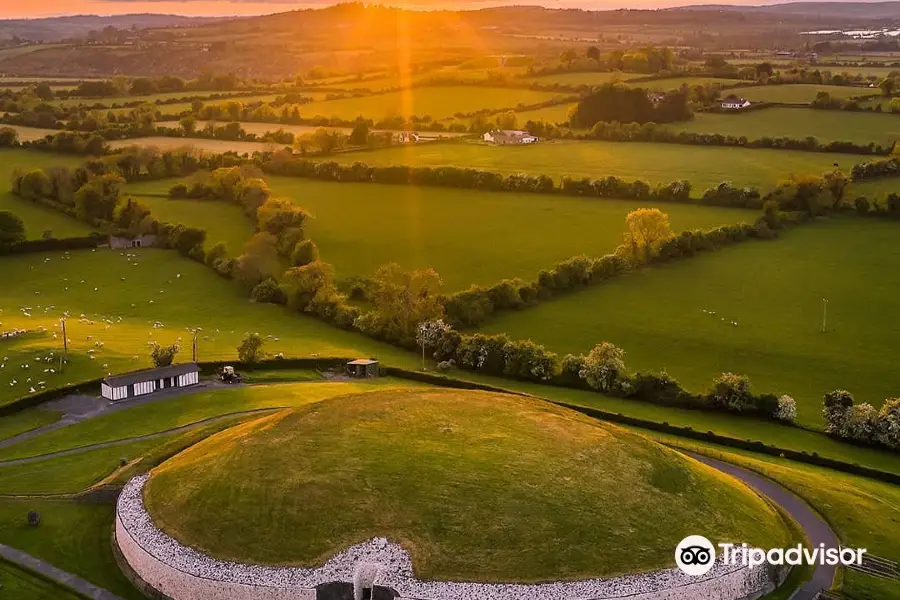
column 141, row 293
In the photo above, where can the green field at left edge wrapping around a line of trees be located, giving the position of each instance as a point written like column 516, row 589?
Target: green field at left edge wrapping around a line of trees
column 37, row 218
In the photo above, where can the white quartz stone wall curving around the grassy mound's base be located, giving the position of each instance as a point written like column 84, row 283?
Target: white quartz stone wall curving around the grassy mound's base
column 185, row 574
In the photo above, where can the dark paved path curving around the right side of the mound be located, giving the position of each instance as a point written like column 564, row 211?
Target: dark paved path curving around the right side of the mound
column 817, row 530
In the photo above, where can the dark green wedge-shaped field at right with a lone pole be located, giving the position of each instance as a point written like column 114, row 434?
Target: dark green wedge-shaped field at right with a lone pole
column 774, row 291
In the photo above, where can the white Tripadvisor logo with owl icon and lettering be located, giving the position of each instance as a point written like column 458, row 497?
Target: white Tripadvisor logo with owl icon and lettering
column 696, row 555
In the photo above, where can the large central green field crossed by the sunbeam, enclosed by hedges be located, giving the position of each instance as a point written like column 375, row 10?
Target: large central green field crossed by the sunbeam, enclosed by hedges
column 422, row 227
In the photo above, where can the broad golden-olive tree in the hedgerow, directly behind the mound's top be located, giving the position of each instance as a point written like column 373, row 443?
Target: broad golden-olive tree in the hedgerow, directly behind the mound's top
column 402, row 300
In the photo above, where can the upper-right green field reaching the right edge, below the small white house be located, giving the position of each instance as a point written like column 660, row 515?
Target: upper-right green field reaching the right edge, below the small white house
column 799, row 123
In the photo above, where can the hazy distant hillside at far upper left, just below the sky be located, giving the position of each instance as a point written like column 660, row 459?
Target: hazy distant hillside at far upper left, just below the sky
column 59, row 28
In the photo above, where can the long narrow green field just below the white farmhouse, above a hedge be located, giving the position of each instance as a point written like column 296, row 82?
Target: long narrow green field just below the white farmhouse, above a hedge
column 703, row 166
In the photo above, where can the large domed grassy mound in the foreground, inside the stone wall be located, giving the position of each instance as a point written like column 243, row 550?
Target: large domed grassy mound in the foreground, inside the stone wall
column 475, row 486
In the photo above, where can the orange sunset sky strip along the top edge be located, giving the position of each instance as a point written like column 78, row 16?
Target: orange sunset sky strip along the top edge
column 45, row 8
